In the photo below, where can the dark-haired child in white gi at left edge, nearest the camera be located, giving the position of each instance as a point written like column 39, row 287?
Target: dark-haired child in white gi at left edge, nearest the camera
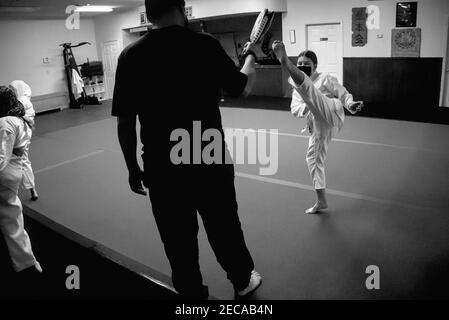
column 15, row 134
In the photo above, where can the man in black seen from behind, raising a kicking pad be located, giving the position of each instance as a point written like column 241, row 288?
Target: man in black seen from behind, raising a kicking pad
column 170, row 79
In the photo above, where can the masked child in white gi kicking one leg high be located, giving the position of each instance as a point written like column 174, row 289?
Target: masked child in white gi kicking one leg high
column 321, row 99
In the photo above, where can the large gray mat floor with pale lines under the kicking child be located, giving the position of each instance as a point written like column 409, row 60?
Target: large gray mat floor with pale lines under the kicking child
column 387, row 185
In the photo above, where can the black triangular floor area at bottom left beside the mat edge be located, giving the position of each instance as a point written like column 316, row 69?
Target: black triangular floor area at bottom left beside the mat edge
column 99, row 278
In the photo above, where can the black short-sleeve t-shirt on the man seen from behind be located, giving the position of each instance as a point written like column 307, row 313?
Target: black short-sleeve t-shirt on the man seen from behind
column 170, row 78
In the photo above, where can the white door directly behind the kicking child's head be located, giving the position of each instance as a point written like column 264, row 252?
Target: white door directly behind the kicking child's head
column 326, row 40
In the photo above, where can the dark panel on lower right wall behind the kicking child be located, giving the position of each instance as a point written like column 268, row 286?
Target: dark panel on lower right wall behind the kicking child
column 395, row 88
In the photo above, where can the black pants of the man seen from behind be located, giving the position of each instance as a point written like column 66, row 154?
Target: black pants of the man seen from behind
column 176, row 197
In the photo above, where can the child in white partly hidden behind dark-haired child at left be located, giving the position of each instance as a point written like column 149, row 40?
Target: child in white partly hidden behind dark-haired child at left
column 23, row 92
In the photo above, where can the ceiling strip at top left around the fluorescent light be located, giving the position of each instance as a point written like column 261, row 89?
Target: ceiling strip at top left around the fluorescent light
column 56, row 9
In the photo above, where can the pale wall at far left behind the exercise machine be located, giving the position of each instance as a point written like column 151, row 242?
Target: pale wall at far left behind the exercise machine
column 24, row 43
